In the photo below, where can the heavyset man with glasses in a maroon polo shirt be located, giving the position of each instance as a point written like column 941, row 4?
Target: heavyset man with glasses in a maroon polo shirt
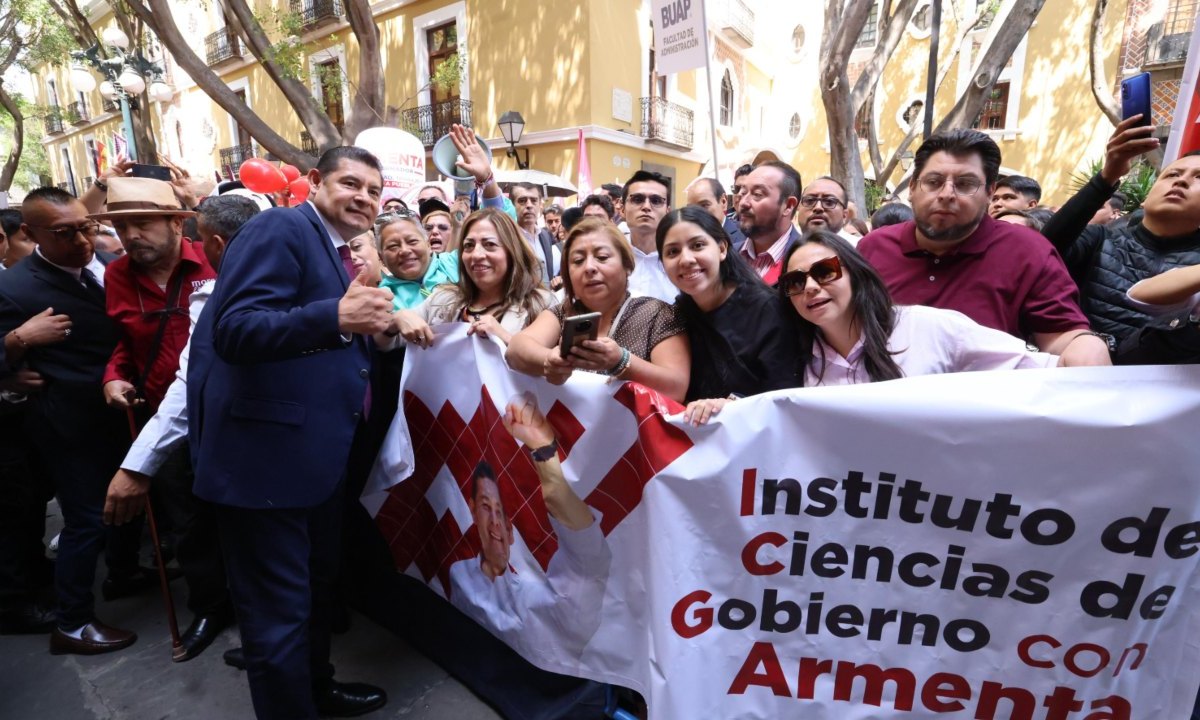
column 952, row 255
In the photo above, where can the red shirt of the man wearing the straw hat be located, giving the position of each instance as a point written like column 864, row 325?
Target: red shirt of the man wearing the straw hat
column 133, row 303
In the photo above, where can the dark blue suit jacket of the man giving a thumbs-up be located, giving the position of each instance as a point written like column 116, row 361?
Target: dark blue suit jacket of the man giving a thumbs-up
column 274, row 393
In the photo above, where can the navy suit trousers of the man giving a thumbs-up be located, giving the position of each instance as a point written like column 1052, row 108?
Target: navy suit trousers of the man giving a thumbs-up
column 283, row 566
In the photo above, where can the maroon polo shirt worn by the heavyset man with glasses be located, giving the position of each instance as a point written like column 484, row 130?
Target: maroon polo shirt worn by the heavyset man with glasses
column 1004, row 277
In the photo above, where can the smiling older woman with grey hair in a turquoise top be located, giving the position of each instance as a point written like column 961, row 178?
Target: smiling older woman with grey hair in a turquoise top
column 415, row 269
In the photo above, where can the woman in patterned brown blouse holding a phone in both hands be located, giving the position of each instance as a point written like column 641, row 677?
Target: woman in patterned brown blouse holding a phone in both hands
column 639, row 339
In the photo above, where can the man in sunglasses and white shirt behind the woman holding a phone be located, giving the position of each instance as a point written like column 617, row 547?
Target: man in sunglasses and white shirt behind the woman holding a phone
column 647, row 200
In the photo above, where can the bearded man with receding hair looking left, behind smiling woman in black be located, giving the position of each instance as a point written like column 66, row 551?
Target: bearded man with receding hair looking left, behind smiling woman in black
column 772, row 194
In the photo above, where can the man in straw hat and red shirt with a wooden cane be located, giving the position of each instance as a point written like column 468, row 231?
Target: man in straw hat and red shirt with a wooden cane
column 149, row 291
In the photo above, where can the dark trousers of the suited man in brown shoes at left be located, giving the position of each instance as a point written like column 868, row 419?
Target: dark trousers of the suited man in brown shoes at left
column 81, row 470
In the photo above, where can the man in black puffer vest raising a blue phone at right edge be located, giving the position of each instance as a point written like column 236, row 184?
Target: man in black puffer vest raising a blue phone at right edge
column 1107, row 261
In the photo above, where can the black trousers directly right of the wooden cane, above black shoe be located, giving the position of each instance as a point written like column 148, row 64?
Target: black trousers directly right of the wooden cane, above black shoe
column 199, row 545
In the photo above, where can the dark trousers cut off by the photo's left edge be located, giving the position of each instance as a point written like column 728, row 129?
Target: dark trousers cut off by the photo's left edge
column 25, row 491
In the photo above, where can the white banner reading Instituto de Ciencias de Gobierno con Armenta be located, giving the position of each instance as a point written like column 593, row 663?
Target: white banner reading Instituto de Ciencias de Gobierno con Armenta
column 986, row 545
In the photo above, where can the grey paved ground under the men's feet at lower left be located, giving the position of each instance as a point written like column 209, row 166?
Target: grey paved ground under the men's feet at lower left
column 142, row 683
